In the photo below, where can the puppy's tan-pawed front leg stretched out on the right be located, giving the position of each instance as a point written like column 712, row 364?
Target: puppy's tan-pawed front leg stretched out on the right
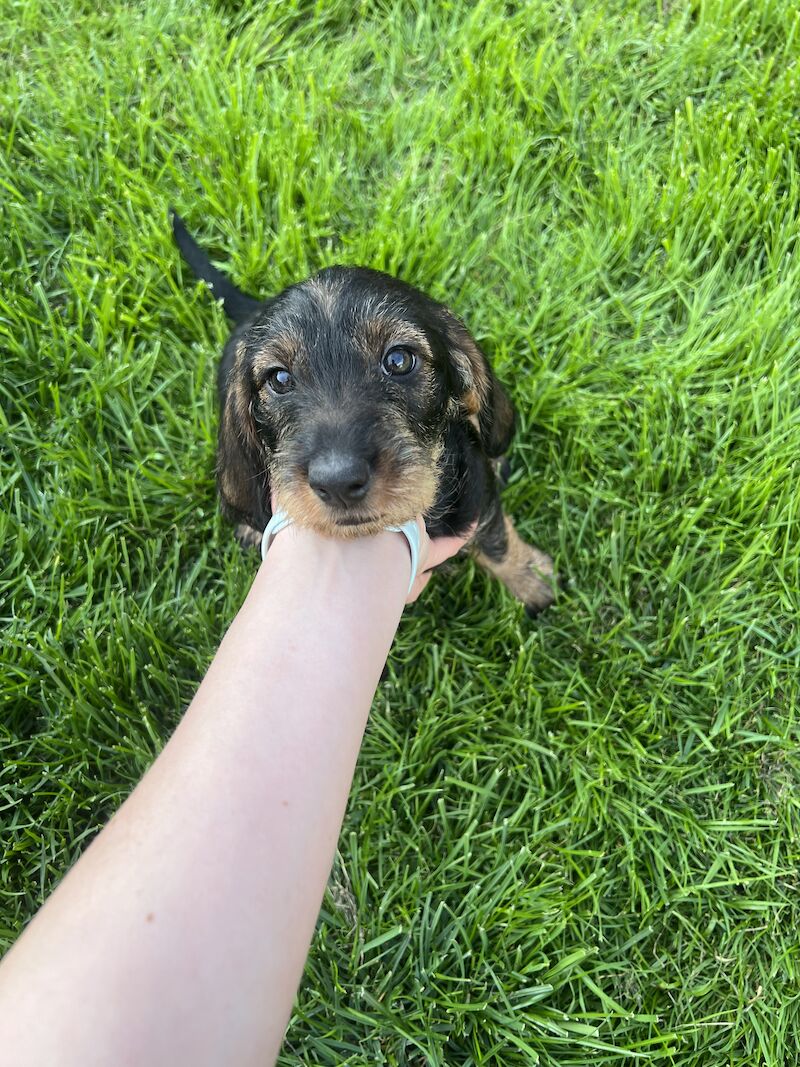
column 525, row 571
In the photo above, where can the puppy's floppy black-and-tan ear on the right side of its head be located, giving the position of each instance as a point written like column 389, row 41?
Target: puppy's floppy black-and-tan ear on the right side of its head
column 478, row 391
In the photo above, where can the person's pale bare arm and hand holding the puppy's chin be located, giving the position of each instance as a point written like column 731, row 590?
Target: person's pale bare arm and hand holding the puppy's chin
column 180, row 936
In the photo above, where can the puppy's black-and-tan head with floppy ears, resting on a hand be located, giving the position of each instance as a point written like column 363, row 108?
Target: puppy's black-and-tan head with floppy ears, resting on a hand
column 338, row 402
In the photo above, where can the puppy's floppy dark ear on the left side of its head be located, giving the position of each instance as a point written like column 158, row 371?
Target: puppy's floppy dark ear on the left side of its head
column 243, row 476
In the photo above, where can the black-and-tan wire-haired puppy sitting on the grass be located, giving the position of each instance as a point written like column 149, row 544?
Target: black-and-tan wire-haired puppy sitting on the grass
column 360, row 404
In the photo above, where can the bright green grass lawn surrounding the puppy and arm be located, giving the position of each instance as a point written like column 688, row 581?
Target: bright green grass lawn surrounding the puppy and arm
column 572, row 842
